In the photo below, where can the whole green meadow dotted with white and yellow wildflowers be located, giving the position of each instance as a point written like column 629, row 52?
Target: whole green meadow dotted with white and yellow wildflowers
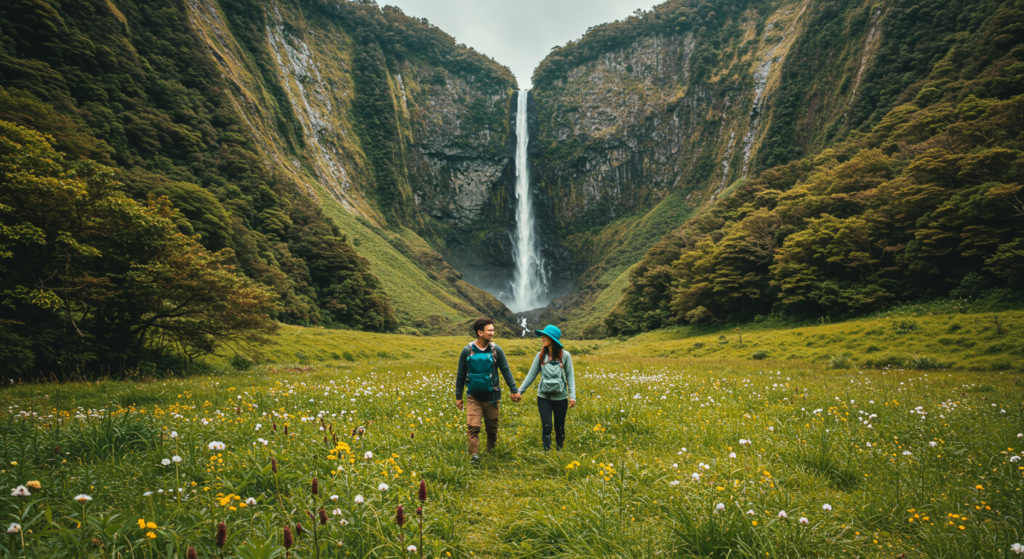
column 675, row 450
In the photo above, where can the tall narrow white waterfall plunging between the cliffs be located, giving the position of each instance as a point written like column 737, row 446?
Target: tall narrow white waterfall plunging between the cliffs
column 530, row 281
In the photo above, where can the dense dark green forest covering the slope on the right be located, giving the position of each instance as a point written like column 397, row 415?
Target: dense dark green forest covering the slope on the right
column 924, row 204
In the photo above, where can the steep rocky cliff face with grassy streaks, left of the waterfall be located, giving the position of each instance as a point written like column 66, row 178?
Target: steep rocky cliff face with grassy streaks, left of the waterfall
column 403, row 143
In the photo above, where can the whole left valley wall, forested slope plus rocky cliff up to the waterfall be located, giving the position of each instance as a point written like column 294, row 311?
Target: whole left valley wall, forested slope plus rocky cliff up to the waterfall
column 399, row 136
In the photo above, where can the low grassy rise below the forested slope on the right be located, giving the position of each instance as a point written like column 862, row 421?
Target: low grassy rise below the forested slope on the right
column 920, row 338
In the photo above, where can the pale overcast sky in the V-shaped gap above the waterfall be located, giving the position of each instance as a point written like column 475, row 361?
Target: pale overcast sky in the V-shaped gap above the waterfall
column 519, row 34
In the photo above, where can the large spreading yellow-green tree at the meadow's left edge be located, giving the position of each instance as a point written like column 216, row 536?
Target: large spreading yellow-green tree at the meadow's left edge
column 96, row 282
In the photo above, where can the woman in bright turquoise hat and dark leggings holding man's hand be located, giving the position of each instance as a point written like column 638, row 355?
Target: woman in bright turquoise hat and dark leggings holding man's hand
column 557, row 391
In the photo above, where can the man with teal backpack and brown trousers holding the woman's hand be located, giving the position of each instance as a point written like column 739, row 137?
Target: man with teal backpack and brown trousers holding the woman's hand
column 479, row 366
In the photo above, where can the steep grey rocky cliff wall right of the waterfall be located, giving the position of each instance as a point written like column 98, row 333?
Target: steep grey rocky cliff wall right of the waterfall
column 648, row 121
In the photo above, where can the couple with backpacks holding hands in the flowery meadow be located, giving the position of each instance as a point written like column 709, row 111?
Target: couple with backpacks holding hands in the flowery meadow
column 479, row 375
